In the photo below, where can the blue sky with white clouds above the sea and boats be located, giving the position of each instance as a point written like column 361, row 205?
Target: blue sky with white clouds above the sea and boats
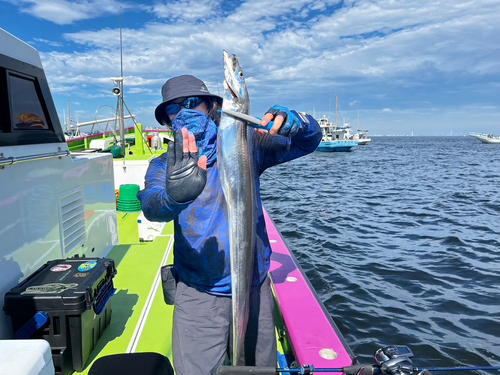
column 396, row 67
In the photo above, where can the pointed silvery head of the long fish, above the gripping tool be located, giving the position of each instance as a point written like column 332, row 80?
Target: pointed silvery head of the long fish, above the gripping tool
column 235, row 88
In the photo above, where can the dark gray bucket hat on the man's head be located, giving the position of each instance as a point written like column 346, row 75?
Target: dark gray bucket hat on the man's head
column 181, row 87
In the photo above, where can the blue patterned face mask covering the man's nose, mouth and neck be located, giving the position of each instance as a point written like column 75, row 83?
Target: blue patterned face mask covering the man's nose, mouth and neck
column 203, row 129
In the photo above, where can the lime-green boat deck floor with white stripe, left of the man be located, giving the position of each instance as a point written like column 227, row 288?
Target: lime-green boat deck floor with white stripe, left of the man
column 138, row 266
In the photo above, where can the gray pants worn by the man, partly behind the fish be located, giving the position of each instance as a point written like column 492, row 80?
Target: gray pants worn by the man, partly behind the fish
column 202, row 330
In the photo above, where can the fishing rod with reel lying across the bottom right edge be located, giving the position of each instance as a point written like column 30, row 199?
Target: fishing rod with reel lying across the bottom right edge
column 391, row 360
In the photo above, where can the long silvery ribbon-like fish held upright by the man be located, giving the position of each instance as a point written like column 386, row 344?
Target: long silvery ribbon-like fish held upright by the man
column 234, row 156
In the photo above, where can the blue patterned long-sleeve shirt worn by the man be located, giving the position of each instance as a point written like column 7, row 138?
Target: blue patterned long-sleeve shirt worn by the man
column 201, row 229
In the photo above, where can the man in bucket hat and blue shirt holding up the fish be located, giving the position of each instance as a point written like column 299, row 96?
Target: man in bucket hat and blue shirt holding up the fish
column 184, row 187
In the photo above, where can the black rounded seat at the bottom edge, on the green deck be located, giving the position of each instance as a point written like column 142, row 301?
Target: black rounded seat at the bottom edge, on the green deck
column 132, row 364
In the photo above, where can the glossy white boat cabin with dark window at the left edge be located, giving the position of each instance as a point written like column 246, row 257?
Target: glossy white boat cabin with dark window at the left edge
column 53, row 204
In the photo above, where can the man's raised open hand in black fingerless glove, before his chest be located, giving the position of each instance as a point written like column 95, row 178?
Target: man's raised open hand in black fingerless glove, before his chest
column 186, row 175
